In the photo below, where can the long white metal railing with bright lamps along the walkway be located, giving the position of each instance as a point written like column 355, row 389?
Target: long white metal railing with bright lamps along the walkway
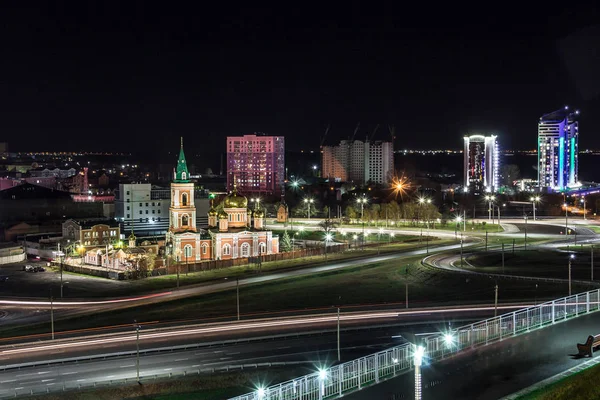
column 334, row 382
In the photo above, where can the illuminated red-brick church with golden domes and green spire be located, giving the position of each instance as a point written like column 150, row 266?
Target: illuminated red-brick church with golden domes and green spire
column 233, row 232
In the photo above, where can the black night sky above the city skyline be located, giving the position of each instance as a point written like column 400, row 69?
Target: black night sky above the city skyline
column 129, row 76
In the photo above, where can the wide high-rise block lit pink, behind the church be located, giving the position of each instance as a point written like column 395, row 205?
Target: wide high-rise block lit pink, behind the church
column 256, row 164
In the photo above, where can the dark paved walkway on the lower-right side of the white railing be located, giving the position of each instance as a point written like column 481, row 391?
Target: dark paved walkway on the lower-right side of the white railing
column 497, row 370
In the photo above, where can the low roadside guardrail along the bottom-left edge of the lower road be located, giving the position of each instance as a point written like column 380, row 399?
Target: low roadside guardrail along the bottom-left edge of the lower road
column 145, row 379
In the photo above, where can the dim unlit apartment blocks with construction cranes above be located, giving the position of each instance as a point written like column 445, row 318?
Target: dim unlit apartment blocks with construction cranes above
column 357, row 161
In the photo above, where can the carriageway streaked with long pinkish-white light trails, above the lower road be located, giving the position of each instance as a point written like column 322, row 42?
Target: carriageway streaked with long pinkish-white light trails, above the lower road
column 13, row 352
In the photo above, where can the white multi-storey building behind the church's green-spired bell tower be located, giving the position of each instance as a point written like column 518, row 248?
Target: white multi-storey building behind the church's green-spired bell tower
column 145, row 208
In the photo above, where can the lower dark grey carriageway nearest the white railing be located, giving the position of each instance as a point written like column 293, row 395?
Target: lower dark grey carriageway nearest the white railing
column 312, row 351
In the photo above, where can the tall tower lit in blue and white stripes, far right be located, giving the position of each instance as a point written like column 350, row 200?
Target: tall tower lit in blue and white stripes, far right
column 558, row 148
